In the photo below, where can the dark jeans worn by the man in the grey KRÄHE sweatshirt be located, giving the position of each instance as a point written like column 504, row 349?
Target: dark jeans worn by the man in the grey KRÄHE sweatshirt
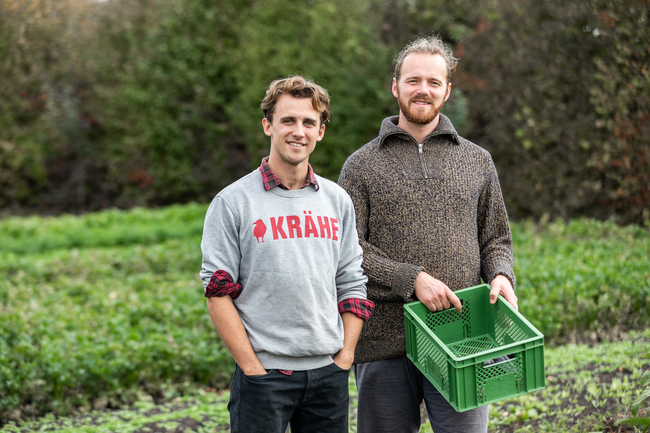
column 311, row 401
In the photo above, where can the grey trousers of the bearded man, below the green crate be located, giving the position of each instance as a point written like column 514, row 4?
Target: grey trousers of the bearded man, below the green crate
column 390, row 393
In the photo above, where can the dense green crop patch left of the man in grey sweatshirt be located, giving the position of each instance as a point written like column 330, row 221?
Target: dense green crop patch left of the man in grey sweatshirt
column 90, row 323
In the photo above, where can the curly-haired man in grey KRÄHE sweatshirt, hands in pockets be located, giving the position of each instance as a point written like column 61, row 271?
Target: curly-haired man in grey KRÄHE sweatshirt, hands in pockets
column 282, row 276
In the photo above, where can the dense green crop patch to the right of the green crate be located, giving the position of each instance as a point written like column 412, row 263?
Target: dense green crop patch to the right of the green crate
column 582, row 278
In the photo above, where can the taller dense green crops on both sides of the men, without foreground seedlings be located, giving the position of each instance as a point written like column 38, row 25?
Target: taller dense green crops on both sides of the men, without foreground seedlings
column 97, row 309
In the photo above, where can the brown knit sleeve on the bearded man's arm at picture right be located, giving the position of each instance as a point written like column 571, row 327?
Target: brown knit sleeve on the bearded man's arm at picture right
column 495, row 238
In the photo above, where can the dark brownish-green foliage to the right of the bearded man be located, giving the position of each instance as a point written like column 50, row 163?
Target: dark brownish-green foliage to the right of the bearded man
column 558, row 93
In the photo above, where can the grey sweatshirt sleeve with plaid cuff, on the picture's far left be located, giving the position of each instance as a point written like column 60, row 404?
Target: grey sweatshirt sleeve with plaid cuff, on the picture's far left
column 220, row 247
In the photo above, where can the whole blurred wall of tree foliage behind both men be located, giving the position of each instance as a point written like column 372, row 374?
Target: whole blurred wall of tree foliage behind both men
column 148, row 102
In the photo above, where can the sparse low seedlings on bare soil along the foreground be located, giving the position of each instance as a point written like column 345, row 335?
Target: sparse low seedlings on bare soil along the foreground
column 588, row 389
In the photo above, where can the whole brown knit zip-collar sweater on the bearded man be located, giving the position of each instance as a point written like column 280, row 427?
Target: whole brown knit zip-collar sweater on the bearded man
column 451, row 223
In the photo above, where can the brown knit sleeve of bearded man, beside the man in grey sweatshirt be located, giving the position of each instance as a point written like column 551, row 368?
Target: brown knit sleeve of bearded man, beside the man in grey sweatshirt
column 391, row 279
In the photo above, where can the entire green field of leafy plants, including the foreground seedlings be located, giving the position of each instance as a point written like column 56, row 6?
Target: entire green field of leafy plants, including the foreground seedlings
column 105, row 311
